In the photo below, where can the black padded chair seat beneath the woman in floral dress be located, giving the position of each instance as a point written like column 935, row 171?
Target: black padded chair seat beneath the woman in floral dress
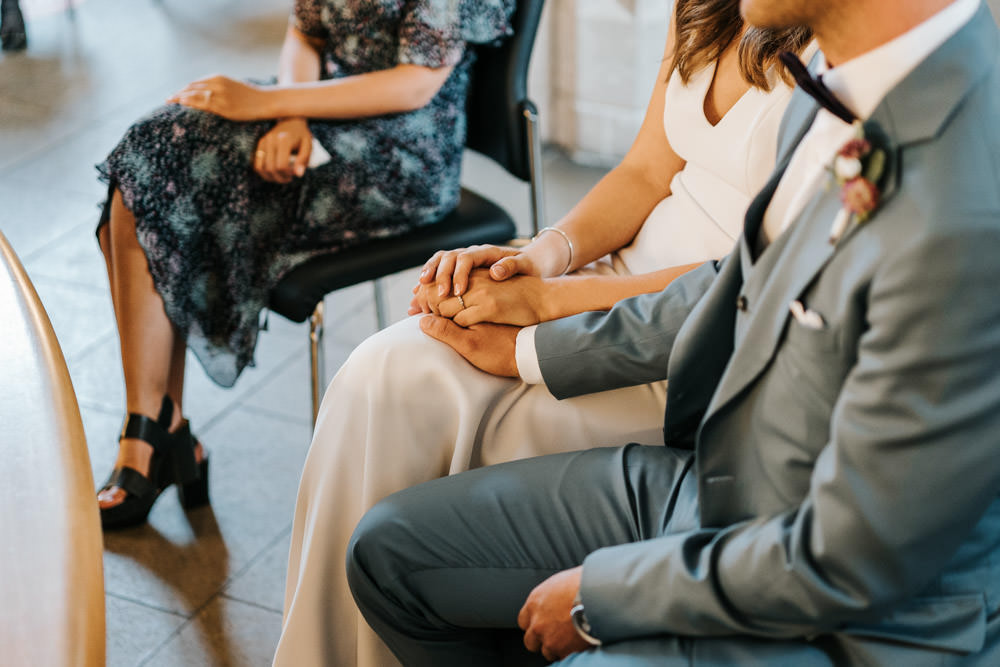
column 476, row 220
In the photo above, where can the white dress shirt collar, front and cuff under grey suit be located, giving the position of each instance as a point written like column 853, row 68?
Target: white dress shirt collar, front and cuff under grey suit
column 860, row 84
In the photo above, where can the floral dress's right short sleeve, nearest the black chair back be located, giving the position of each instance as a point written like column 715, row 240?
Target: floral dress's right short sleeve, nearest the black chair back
column 433, row 33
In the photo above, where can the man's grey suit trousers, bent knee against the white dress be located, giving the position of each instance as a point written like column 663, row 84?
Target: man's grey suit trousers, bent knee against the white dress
column 441, row 570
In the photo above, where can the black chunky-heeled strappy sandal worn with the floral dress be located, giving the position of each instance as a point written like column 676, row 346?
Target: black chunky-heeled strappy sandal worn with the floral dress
column 173, row 461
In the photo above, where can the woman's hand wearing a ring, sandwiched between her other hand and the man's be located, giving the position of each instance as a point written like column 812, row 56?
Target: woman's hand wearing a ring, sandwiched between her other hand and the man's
column 518, row 301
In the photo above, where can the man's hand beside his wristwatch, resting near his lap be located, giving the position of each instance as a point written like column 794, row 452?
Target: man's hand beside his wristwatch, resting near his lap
column 545, row 616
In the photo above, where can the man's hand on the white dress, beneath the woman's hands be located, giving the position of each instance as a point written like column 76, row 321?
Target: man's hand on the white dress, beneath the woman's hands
column 488, row 347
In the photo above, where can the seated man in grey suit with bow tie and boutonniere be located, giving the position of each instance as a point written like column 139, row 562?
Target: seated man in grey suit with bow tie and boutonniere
column 830, row 489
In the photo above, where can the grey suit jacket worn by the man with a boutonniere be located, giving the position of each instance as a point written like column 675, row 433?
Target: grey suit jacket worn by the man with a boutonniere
column 848, row 477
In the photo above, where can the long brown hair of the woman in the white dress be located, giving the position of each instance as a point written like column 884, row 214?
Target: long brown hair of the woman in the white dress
column 704, row 28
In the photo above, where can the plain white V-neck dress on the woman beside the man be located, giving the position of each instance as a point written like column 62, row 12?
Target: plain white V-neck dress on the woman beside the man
column 404, row 408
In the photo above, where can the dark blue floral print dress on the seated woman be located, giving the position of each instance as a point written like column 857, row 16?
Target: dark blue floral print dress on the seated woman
column 218, row 237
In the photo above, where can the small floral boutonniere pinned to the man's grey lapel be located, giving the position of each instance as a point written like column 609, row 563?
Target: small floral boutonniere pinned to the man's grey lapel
column 857, row 168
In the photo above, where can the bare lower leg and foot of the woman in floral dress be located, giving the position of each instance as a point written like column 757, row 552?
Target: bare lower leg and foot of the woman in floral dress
column 150, row 346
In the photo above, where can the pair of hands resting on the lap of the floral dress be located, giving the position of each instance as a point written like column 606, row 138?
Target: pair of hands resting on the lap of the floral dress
column 283, row 153
